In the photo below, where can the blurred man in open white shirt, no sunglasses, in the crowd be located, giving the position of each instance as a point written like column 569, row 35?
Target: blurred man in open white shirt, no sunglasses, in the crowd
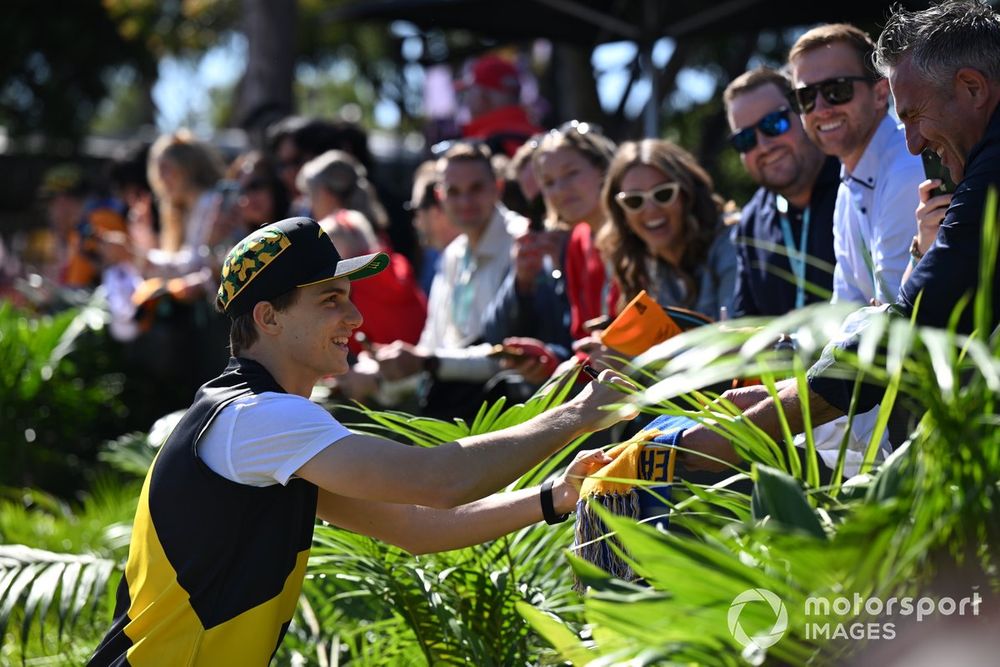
column 472, row 269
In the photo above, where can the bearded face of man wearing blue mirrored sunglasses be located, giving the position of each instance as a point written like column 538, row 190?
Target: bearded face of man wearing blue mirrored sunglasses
column 785, row 164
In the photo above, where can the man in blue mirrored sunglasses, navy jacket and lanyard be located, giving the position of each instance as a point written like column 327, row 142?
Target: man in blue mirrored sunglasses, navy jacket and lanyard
column 785, row 234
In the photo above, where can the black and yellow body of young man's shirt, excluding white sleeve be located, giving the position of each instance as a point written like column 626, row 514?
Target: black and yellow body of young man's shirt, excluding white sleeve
column 215, row 567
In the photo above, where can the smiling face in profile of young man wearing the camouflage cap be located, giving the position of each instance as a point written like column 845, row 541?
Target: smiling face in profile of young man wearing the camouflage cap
column 314, row 330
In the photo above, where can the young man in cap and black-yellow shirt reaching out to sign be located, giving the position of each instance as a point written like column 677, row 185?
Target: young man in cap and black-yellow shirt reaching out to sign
column 224, row 522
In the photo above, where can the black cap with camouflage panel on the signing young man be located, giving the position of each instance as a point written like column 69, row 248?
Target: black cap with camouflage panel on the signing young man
column 282, row 256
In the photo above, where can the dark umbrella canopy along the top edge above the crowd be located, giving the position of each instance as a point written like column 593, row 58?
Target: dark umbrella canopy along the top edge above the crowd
column 598, row 21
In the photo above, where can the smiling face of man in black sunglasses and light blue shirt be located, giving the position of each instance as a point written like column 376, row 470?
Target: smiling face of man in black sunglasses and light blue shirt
column 842, row 130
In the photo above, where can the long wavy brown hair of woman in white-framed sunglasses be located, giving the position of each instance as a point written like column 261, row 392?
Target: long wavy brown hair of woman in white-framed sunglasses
column 624, row 250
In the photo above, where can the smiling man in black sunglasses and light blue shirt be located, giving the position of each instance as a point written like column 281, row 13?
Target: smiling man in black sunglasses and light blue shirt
column 844, row 108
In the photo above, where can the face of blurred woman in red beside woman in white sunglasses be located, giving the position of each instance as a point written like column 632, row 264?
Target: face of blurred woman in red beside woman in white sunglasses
column 571, row 184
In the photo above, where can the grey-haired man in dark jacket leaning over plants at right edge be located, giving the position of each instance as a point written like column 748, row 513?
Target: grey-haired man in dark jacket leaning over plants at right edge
column 943, row 67
